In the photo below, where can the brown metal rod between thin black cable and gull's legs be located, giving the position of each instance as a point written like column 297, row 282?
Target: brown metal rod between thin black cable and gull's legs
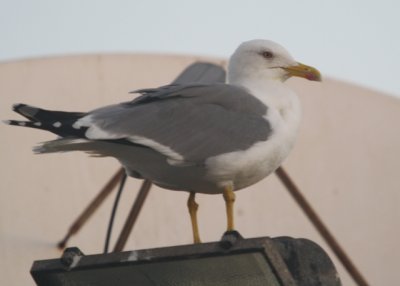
column 133, row 215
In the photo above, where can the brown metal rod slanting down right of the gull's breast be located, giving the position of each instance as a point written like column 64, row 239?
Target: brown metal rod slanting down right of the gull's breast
column 321, row 228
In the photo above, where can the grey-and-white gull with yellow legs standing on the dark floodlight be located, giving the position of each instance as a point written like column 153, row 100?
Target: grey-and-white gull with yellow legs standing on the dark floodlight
column 200, row 138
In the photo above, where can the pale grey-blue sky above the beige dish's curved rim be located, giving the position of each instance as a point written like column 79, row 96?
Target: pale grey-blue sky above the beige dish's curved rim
column 356, row 41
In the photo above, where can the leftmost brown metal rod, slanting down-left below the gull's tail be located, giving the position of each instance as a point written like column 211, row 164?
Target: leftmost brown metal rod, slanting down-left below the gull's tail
column 92, row 207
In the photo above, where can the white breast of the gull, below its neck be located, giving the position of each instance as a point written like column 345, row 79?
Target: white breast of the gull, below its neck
column 244, row 168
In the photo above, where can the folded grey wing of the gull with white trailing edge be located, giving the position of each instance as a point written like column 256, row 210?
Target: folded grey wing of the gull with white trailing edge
column 186, row 123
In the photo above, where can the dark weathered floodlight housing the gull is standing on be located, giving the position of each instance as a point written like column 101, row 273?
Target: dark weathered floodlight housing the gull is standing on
column 257, row 261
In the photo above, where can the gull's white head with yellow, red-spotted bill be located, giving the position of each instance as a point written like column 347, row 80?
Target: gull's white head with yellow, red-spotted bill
column 266, row 60
